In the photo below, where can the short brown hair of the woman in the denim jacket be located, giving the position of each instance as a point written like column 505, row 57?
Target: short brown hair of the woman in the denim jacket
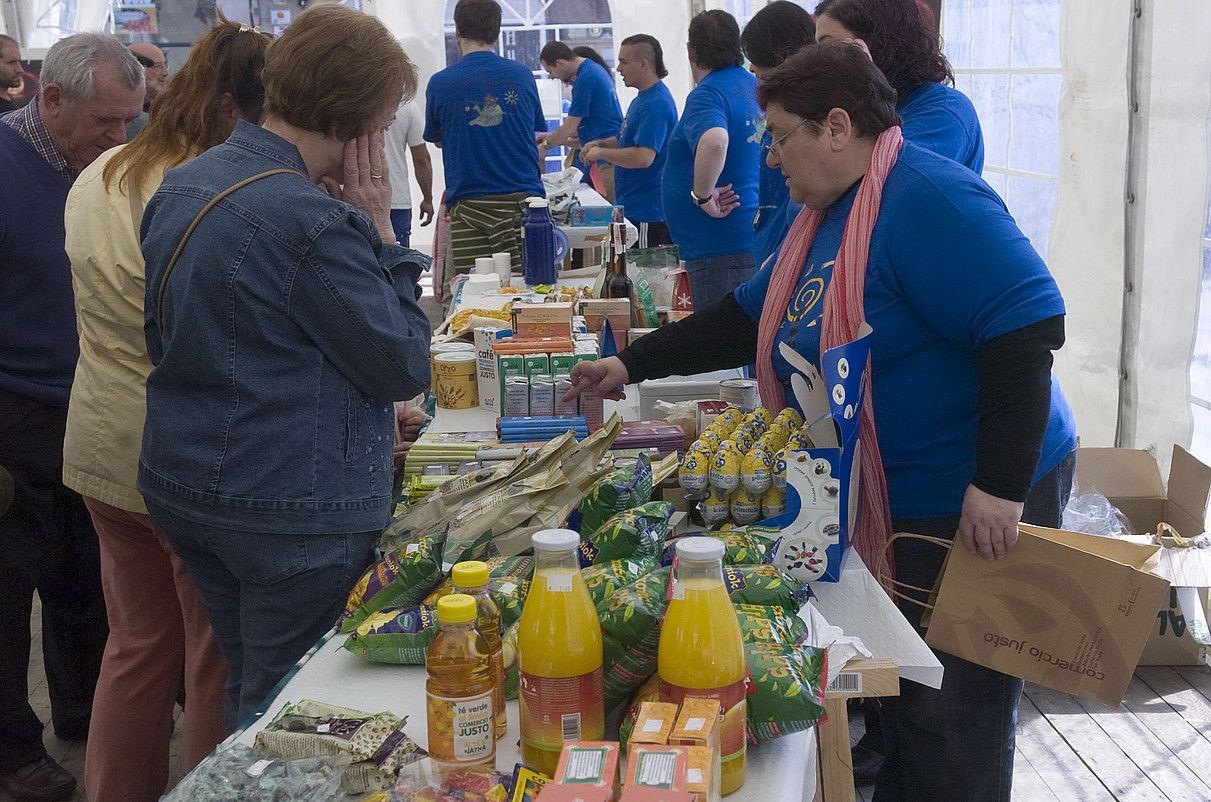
column 335, row 71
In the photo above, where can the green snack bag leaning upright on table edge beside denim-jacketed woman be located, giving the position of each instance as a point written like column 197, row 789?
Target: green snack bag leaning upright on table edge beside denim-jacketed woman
column 401, row 578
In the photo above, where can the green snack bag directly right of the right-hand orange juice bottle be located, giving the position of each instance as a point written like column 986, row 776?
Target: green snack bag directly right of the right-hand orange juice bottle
column 789, row 690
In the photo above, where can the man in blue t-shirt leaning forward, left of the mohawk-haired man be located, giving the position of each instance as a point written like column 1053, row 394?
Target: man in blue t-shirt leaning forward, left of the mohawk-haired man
column 595, row 112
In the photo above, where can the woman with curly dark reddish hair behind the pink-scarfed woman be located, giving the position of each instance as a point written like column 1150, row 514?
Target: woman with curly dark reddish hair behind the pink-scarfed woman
column 905, row 47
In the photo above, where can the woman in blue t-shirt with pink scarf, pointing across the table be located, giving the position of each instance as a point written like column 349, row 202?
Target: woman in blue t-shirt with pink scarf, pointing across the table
column 974, row 433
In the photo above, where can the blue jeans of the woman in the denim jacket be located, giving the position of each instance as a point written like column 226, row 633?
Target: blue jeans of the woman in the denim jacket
column 269, row 597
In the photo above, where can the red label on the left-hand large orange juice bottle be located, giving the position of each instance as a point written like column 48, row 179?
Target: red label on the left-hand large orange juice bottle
column 561, row 709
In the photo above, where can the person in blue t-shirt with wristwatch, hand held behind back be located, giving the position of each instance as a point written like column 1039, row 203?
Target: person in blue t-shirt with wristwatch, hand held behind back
column 710, row 181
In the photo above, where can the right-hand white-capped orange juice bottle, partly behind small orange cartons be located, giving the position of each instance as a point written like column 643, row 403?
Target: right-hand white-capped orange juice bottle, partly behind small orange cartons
column 702, row 654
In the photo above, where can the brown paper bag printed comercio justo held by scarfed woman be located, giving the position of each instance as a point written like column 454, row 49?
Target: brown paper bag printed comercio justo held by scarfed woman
column 1065, row 610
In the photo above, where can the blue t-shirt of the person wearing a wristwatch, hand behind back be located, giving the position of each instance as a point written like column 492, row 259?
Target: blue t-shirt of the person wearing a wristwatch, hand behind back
column 726, row 99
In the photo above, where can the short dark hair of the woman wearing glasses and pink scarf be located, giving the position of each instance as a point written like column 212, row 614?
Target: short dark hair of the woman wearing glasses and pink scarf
column 835, row 76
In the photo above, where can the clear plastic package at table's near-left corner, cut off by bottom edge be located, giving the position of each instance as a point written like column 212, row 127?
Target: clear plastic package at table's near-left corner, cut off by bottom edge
column 240, row 774
